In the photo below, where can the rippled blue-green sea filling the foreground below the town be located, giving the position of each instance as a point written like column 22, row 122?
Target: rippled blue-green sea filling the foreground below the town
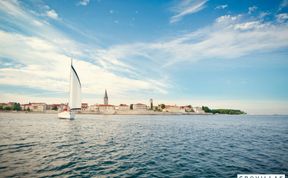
column 41, row 145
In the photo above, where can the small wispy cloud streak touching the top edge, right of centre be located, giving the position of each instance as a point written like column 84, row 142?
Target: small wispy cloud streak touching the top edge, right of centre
column 185, row 8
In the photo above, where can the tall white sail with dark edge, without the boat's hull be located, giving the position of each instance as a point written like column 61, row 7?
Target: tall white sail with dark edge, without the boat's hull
column 75, row 90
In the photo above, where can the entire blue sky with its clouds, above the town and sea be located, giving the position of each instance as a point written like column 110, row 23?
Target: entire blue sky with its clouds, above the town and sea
column 224, row 54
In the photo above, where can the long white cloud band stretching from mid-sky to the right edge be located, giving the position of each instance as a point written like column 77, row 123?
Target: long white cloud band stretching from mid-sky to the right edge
column 229, row 37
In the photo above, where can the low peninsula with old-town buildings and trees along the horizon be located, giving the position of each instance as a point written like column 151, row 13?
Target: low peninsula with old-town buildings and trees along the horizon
column 122, row 109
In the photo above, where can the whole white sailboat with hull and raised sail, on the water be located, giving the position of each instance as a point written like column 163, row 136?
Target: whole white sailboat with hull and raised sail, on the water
column 75, row 96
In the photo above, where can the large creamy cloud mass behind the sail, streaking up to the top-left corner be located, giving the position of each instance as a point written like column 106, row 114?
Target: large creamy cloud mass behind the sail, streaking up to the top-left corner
column 43, row 54
